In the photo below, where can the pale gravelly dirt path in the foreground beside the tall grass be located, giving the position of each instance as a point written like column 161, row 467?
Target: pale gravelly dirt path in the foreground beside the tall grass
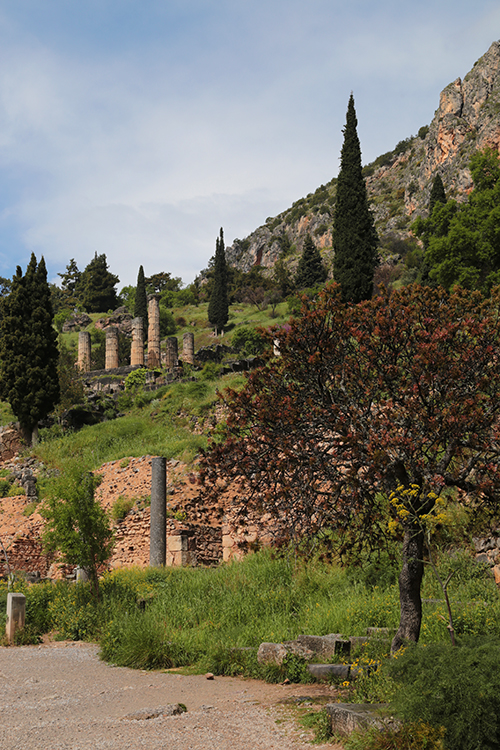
column 60, row 696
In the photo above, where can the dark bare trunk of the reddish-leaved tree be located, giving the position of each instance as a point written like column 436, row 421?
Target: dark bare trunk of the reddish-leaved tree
column 410, row 580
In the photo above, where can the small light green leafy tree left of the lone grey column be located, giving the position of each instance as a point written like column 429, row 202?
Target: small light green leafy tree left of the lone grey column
column 77, row 526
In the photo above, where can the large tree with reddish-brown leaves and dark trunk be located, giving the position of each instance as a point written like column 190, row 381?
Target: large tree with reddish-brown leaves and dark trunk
column 398, row 394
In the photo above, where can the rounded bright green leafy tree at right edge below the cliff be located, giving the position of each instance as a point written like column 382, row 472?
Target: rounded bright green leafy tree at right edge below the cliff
column 463, row 241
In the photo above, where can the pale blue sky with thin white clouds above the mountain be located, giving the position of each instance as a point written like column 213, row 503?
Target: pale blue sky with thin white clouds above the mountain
column 139, row 128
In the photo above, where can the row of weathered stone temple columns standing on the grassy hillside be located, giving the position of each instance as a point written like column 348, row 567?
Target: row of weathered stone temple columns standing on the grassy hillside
column 137, row 357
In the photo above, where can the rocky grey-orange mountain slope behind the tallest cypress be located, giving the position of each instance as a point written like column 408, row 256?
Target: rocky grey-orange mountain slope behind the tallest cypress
column 398, row 182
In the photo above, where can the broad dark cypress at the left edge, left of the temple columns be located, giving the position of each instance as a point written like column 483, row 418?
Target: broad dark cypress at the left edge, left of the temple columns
column 28, row 348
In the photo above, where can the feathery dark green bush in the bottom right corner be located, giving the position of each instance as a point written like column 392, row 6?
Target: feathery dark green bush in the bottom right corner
column 453, row 687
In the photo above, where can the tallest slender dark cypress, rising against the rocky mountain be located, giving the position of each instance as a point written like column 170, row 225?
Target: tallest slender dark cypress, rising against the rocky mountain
column 354, row 236
